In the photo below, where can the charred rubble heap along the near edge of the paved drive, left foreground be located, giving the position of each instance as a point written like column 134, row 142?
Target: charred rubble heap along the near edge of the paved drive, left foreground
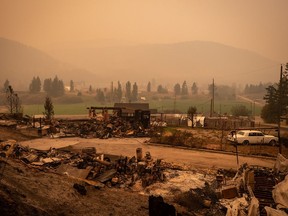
column 87, row 166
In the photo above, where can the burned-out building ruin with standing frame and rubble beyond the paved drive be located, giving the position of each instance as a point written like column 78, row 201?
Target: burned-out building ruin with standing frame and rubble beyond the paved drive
column 122, row 120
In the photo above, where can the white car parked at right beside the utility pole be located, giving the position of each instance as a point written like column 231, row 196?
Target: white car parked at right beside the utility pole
column 247, row 137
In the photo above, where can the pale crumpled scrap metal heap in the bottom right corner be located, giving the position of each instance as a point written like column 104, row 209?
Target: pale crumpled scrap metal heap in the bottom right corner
column 256, row 190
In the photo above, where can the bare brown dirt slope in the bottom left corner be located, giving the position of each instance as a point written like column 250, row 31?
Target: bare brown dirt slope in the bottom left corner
column 29, row 191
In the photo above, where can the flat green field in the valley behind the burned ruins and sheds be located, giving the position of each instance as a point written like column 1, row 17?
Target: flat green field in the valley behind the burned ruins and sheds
column 179, row 105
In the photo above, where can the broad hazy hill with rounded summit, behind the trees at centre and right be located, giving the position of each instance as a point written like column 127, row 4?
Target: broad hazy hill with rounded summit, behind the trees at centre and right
column 196, row 61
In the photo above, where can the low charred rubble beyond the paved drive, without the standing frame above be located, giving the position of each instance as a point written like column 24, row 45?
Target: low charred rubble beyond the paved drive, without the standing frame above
column 102, row 128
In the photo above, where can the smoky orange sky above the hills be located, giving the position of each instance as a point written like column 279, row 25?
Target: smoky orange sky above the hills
column 257, row 25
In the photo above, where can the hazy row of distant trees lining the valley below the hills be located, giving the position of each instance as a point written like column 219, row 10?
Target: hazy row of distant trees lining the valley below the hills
column 128, row 92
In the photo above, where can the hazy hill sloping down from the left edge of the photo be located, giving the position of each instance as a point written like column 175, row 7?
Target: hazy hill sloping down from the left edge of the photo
column 19, row 63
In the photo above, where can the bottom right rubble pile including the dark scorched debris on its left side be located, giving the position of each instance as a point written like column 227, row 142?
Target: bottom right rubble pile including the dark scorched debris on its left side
column 251, row 191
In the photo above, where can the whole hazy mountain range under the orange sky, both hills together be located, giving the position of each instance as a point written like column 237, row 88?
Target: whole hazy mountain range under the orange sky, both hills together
column 196, row 61
